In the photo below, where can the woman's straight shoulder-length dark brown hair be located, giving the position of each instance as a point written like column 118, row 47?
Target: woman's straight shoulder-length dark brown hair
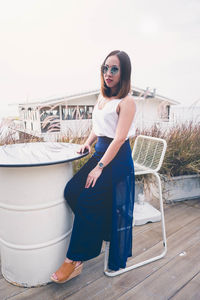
column 124, row 85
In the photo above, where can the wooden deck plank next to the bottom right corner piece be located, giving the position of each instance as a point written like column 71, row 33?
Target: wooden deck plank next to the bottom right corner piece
column 169, row 279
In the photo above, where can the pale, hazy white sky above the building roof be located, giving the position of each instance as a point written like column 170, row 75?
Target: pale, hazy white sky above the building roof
column 52, row 48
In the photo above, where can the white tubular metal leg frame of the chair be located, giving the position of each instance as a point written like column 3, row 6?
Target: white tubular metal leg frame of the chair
column 115, row 273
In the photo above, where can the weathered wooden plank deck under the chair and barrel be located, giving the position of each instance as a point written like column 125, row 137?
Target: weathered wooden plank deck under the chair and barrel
column 176, row 276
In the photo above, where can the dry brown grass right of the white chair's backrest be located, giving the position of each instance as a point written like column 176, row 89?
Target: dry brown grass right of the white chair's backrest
column 183, row 149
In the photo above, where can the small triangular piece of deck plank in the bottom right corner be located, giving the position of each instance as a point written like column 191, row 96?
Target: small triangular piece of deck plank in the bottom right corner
column 191, row 291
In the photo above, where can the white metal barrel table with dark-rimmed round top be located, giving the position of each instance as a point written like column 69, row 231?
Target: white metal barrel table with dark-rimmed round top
column 35, row 220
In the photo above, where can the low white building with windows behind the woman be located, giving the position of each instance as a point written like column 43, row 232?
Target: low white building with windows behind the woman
column 71, row 115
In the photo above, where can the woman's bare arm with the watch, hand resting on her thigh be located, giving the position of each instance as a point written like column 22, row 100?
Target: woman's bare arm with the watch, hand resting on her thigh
column 127, row 110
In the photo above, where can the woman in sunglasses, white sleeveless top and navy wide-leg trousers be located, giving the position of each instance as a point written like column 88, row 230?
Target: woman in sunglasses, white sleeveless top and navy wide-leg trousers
column 101, row 193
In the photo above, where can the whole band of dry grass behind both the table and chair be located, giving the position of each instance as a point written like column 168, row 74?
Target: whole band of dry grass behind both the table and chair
column 183, row 146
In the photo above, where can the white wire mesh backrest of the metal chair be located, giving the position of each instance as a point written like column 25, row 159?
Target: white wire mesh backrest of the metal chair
column 149, row 152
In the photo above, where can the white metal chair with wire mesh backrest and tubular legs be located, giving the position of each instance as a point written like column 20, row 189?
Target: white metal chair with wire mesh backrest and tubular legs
column 148, row 154
